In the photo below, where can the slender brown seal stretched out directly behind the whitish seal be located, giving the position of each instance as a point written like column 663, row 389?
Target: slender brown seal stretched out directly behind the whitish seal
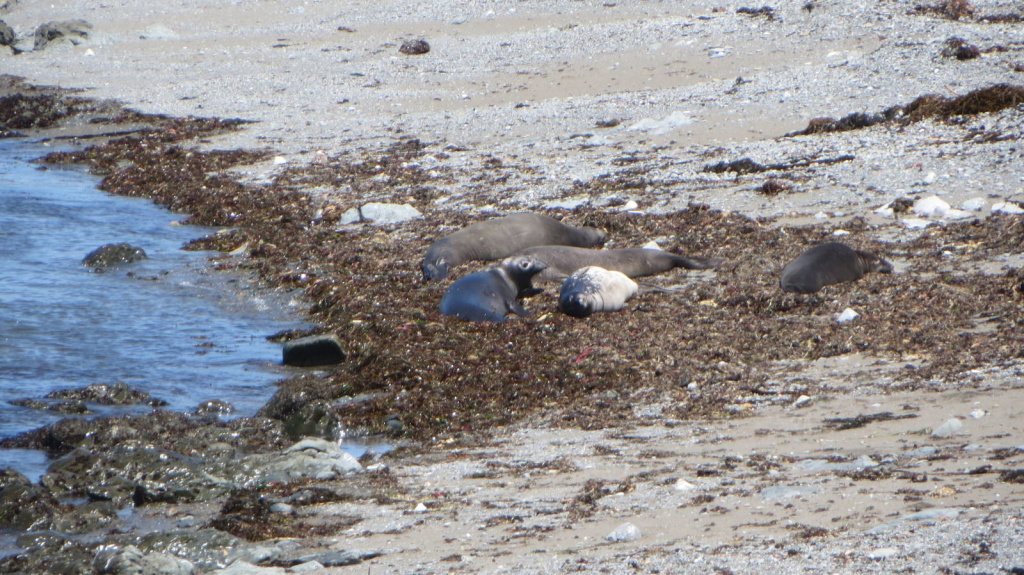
column 634, row 262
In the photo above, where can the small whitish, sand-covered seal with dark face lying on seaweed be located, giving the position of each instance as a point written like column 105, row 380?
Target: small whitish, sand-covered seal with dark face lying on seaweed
column 595, row 289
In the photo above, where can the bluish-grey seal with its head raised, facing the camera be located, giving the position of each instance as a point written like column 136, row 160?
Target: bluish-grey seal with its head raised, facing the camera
column 491, row 295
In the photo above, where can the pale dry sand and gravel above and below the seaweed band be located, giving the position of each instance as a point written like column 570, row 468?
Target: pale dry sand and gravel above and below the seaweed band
column 530, row 83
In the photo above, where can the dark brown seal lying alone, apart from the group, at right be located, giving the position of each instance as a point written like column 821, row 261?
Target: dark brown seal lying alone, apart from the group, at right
column 828, row 264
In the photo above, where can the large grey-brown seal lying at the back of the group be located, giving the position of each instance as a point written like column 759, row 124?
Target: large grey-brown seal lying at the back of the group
column 499, row 238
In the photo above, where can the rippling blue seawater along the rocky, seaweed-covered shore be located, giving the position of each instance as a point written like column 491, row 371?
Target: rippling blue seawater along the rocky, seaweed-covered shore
column 166, row 326
